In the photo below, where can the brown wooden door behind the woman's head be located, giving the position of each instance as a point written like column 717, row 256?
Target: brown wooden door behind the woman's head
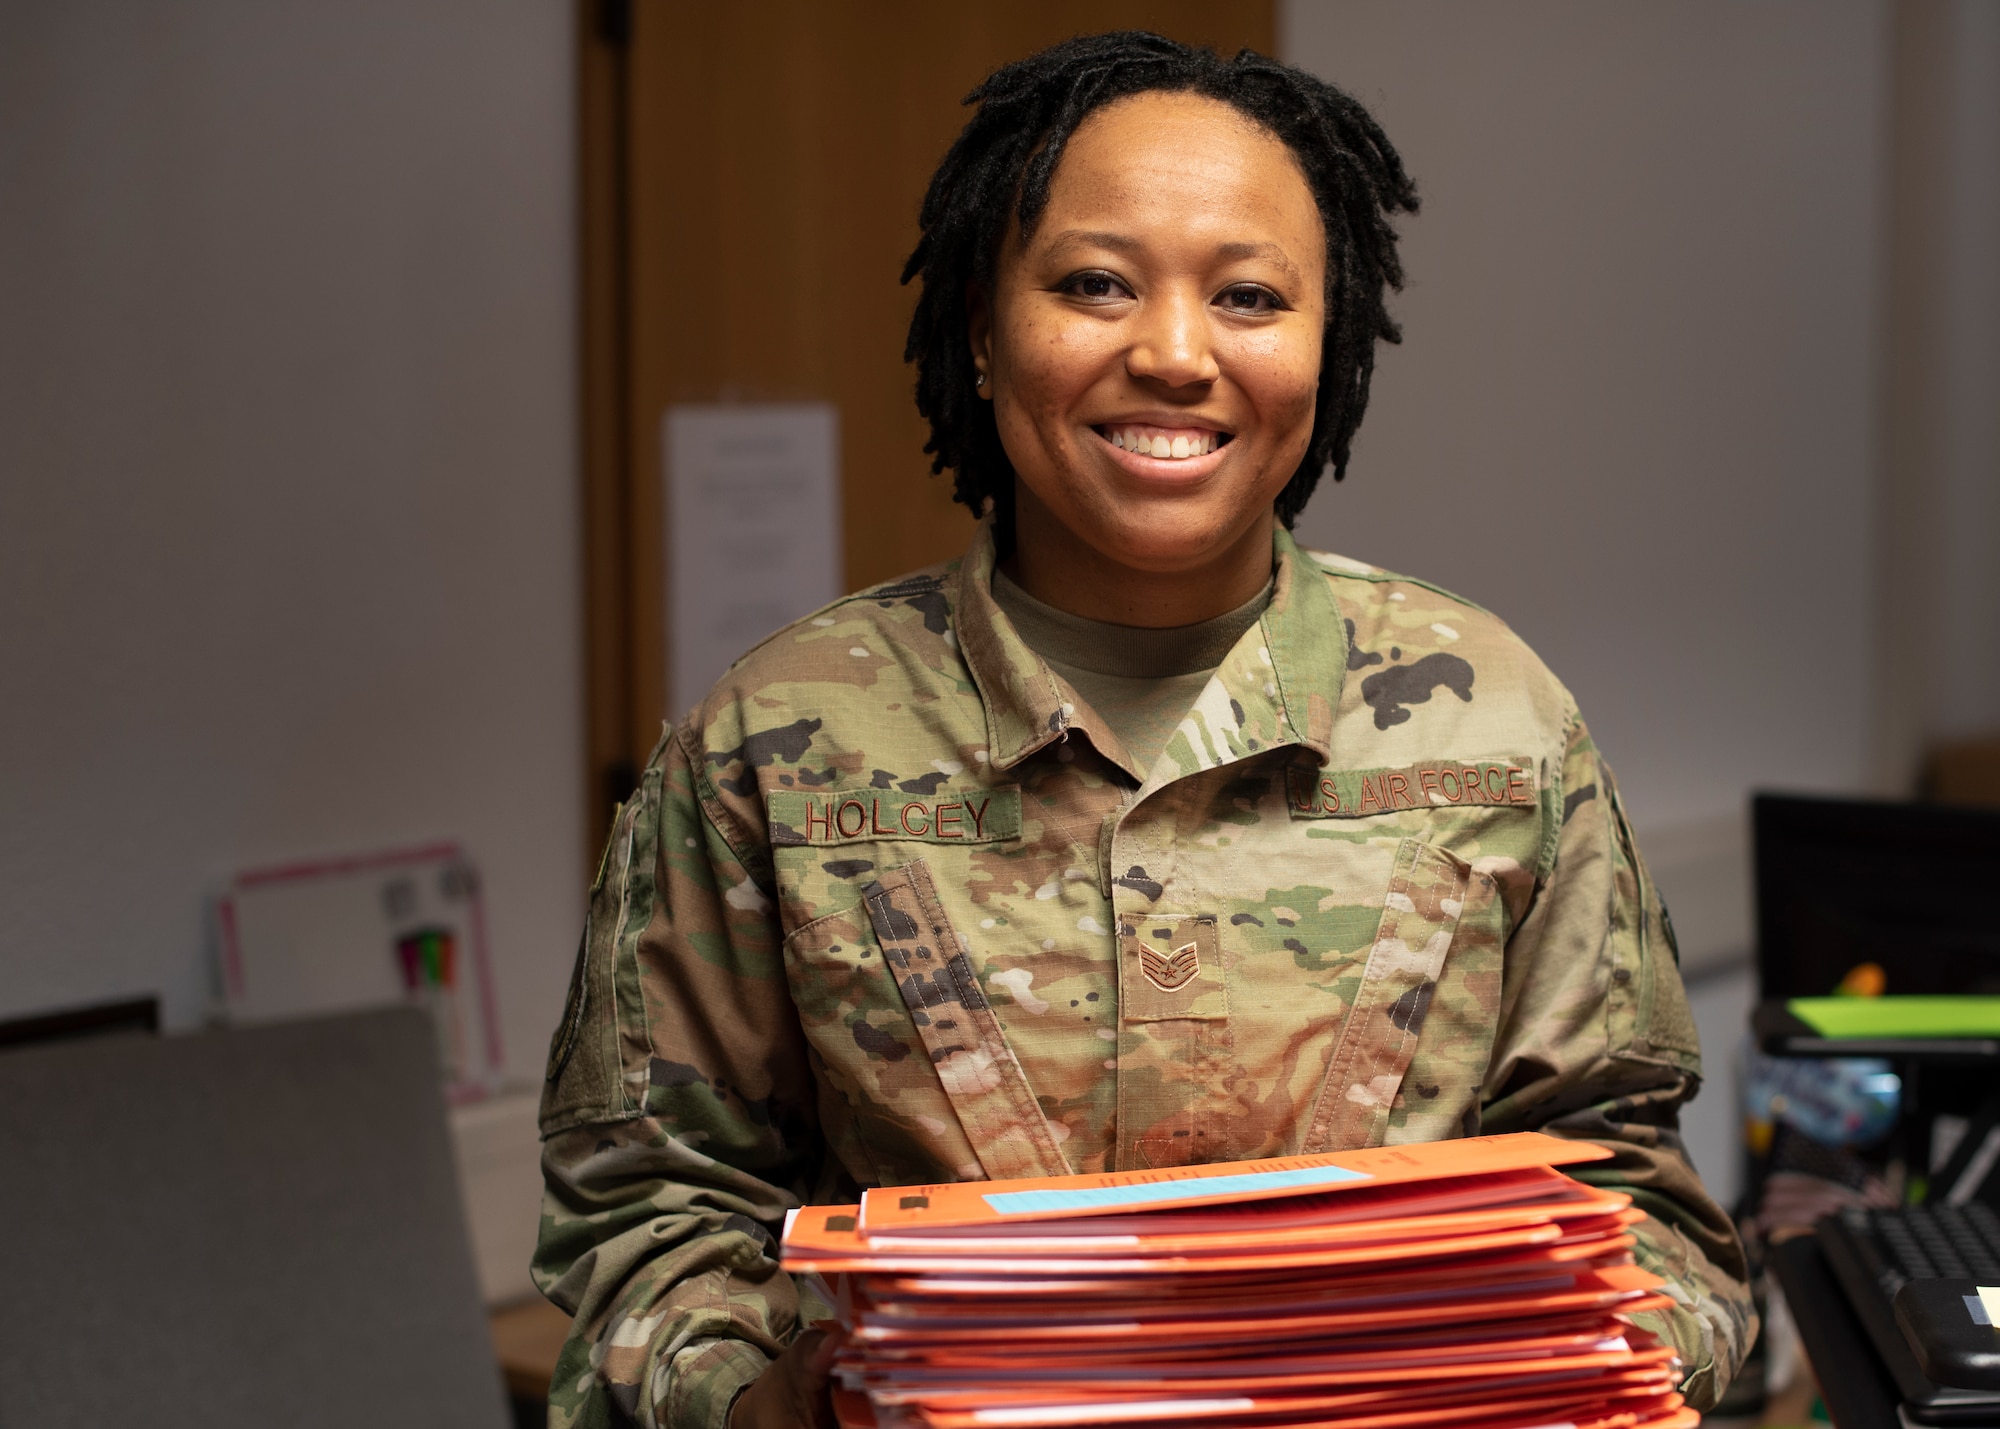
column 751, row 181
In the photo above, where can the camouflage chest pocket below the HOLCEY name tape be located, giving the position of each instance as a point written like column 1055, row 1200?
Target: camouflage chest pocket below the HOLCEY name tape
column 889, row 1002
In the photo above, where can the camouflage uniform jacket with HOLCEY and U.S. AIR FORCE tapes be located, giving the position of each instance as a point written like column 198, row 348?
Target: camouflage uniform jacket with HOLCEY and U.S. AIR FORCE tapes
column 895, row 906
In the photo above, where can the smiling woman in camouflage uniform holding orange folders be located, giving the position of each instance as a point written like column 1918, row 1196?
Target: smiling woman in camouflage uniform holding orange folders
column 1137, row 838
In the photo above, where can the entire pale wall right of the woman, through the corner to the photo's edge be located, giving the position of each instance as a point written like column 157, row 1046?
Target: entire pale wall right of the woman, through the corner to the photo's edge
column 1699, row 391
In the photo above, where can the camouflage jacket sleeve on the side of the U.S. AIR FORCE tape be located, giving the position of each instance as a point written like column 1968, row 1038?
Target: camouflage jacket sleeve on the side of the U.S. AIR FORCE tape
column 1597, row 1042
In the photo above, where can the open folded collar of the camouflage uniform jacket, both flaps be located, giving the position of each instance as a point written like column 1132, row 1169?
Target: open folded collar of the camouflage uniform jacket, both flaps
column 1283, row 677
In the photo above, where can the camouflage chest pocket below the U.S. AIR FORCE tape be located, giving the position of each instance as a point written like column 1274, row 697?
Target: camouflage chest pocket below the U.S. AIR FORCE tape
column 1413, row 1046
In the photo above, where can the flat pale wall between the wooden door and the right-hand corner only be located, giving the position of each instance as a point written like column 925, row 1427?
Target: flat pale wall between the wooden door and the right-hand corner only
column 1635, row 411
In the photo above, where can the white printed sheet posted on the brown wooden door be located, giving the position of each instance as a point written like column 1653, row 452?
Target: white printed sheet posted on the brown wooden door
column 753, row 499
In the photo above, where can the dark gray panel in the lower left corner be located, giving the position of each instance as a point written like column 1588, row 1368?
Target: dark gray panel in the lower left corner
column 251, row 1228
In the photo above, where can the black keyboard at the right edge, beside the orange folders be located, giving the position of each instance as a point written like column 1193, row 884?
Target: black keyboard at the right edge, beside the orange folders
column 1875, row 1254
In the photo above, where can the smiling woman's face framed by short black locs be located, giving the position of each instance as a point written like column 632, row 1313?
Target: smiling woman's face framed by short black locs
column 1153, row 351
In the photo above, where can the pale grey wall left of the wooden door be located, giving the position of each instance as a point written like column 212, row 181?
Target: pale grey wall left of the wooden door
column 287, row 473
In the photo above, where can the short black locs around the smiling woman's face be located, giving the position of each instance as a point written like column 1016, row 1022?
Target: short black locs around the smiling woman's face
column 1005, row 159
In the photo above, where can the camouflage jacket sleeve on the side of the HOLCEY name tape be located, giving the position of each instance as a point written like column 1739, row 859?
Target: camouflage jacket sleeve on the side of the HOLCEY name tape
column 677, row 1122
